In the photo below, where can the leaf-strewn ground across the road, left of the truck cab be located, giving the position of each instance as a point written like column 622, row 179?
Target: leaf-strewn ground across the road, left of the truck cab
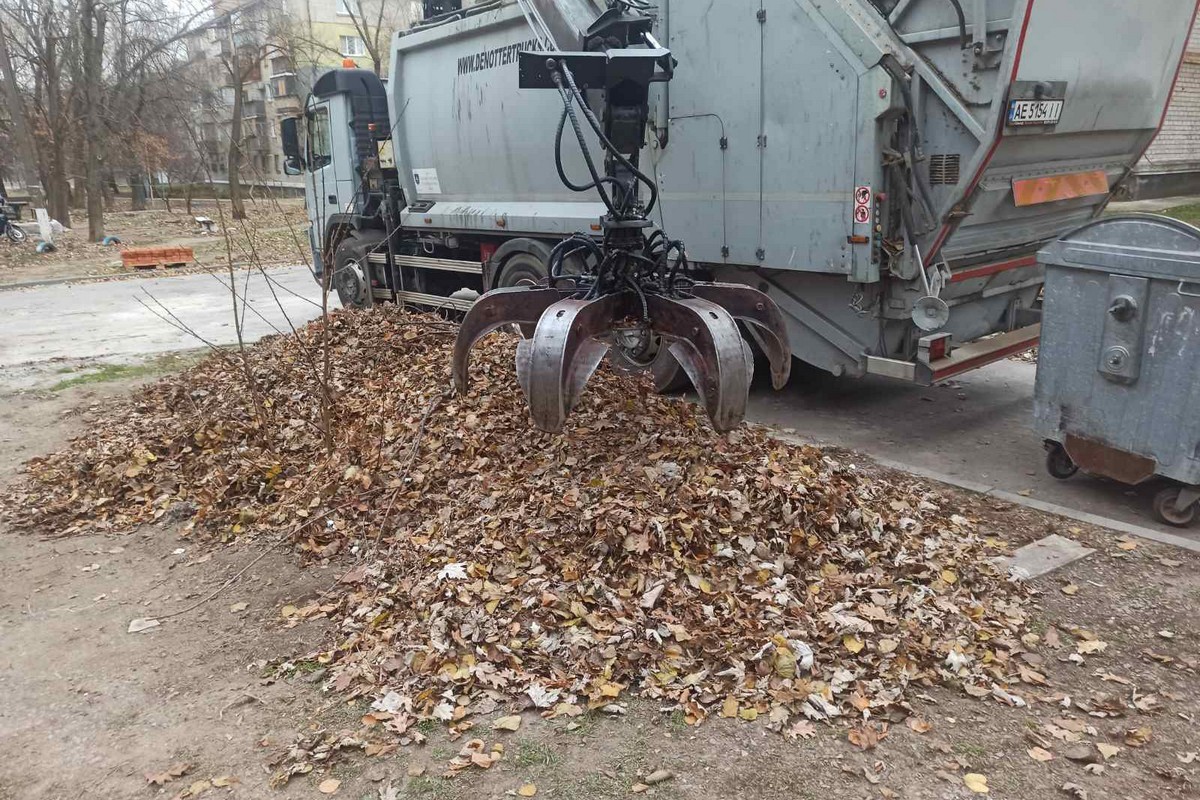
column 275, row 234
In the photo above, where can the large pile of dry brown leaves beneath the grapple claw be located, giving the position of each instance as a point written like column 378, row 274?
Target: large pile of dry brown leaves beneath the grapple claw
column 489, row 564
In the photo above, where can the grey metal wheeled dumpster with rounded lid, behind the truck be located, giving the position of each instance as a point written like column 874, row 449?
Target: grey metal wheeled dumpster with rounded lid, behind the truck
column 1119, row 369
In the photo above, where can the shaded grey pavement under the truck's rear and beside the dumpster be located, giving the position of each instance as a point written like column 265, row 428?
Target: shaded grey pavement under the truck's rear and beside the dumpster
column 974, row 432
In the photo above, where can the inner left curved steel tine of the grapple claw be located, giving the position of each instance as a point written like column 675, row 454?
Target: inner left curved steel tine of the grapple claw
column 563, row 356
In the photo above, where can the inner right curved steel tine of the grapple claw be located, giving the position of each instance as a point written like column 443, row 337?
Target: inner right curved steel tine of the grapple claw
column 707, row 344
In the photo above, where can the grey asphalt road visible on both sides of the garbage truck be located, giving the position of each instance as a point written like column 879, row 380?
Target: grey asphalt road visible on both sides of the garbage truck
column 975, row 430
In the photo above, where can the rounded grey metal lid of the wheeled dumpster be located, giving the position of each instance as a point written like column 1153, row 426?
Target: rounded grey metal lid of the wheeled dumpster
column 1145, row 245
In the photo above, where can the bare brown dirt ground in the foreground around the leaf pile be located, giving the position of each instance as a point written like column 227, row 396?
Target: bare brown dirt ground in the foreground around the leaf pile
column 89, row 711
